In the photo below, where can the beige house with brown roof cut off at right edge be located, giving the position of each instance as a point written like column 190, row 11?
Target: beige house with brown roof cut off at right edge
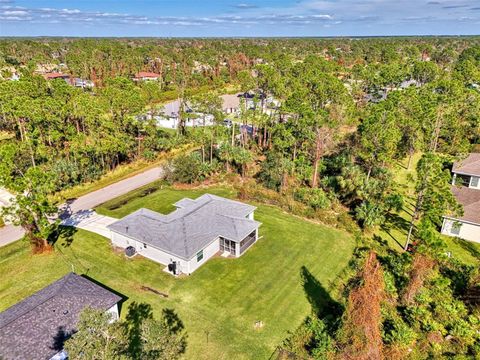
column 466, row 188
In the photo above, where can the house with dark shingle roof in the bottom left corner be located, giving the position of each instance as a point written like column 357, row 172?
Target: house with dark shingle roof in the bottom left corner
column 37, row 327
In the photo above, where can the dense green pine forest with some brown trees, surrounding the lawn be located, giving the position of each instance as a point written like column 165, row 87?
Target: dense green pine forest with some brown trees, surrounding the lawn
column 346, row 113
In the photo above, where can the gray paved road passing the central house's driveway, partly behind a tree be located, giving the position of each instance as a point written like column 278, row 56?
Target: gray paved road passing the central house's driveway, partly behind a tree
column 9, row 233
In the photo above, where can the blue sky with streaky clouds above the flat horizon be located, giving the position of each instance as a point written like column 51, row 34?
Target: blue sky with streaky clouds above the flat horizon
column 238, row 18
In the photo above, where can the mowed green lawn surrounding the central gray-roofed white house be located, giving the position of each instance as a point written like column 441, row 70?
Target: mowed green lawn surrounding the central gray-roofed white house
column 220, row 303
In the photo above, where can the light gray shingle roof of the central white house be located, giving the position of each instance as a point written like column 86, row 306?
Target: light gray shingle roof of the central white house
column 191, row 227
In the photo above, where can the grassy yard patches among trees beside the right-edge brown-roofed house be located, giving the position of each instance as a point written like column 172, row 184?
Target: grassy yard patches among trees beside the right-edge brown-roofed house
column 394, row 231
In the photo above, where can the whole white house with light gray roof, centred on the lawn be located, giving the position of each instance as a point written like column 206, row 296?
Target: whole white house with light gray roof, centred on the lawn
column 187, row 237
